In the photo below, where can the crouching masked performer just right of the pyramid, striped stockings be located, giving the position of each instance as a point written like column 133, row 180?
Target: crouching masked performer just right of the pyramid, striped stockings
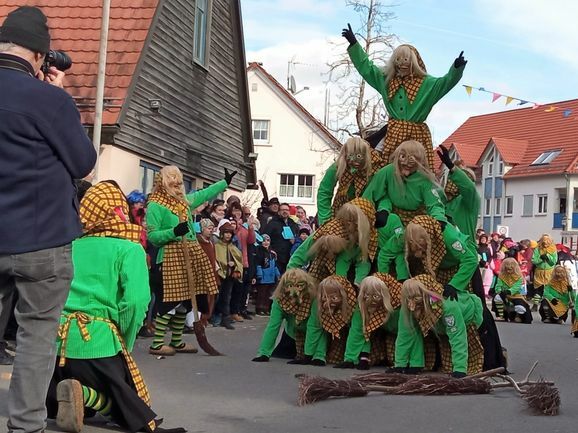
column 509, row 301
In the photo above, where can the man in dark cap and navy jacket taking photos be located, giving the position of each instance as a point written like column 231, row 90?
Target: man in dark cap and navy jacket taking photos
column 43, row 147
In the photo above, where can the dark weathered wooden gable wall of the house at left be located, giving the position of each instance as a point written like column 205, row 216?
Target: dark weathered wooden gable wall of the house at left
column 204, row 122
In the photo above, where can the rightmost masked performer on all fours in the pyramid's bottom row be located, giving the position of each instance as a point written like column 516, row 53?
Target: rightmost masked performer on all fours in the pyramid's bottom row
column 424, row 310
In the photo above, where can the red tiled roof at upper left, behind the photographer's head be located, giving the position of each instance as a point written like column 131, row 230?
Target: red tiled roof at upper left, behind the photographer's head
column 75, row 28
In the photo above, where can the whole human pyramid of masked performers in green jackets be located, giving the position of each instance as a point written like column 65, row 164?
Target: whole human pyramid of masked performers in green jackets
column 414, row 298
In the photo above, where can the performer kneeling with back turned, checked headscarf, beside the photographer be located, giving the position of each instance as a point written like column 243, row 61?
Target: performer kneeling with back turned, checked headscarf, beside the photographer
column 108, row 300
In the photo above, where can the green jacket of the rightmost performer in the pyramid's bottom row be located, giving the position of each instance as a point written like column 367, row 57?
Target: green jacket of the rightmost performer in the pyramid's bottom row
column 454, row 316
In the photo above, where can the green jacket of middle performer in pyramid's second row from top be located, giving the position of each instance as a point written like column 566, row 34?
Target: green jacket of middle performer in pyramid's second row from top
column 416, row 192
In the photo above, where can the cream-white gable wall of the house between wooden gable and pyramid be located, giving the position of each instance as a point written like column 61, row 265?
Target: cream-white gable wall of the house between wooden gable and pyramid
column 294, row 146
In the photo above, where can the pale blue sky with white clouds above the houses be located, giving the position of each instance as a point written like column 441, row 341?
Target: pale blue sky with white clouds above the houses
column 526, row 49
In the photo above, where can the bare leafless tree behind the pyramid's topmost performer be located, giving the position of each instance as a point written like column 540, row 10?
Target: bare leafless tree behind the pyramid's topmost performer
column 378, row 43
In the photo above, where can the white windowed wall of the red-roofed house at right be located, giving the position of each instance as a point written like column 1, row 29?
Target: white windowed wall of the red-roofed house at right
column 526, row 227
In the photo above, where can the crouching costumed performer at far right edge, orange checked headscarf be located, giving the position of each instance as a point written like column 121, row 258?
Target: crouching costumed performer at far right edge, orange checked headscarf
column 557, row 297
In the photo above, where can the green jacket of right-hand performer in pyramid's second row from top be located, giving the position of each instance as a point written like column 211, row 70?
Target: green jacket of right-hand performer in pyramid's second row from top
column 464, row 208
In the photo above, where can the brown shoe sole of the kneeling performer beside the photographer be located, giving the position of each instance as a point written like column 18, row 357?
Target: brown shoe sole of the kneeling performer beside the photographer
column 70, row 416
